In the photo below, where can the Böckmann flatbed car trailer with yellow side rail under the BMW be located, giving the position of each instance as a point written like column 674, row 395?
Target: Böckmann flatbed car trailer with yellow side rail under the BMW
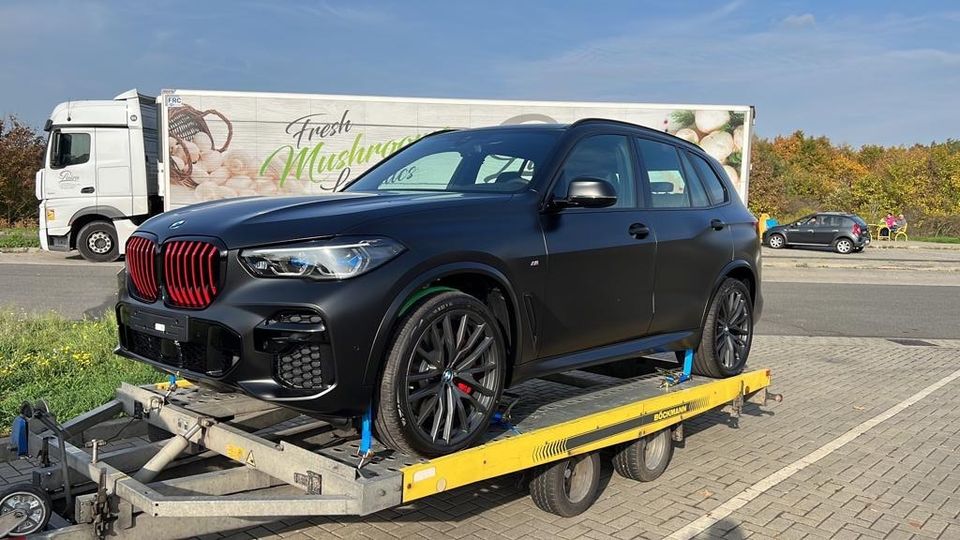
column 217, row 461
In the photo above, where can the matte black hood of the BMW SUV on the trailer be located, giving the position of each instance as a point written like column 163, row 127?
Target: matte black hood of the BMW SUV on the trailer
column 253, row 221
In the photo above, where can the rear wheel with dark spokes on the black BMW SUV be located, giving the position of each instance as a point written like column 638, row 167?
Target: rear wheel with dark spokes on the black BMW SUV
column 727, row 332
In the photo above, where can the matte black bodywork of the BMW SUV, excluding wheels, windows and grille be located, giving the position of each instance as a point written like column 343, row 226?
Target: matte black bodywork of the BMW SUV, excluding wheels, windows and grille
column 572, row 288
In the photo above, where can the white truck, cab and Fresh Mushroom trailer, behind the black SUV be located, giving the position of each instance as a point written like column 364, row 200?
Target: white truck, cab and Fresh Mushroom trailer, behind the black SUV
column 112, row 164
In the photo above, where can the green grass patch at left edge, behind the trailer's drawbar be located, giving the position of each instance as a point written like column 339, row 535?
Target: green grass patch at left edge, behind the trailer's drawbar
column 70, row 364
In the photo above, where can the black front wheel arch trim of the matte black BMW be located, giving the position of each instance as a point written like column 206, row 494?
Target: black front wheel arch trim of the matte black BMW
column 477, row 279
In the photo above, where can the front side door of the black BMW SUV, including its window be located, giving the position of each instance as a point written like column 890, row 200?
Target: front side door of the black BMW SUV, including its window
column 601, row 261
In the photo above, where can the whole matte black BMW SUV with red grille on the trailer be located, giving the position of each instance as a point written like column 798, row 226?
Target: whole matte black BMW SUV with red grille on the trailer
column 466, row 262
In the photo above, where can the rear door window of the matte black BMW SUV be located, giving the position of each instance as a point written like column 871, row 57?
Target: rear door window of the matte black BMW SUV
column 668, row 187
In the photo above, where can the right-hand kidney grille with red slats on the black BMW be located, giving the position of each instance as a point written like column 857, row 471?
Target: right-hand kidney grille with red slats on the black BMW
column 191, row 273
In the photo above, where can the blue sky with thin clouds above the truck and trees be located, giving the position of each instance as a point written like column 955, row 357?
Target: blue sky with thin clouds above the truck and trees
column 877, row 72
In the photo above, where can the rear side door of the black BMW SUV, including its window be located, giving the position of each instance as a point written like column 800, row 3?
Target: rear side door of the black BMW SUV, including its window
column 693, row 240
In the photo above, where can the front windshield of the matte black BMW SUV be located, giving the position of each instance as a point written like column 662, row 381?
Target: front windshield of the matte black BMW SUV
column 502, row 161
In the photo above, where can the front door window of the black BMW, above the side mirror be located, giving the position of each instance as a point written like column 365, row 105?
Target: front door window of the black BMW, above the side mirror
column 606, row 157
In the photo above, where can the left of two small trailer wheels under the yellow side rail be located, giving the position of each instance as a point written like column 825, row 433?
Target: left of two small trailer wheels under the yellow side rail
column 567, row 488
